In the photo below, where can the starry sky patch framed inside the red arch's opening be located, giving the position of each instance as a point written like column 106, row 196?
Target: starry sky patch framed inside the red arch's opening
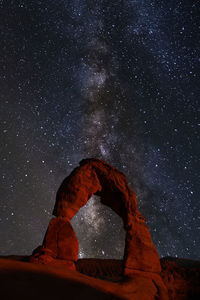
column 99, row 230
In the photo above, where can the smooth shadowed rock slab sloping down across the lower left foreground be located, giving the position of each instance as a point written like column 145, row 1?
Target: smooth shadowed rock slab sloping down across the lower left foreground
column 22, row 280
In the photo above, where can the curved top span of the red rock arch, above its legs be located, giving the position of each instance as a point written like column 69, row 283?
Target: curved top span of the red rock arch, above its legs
column 95, row 176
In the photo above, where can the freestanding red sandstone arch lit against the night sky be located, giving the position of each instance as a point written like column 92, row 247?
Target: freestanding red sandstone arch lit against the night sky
column 97, row 177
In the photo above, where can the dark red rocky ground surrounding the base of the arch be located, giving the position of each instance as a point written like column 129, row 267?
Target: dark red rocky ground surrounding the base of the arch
column 20, row 280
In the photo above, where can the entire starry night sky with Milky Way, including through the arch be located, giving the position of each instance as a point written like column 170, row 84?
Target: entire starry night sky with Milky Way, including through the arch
column 114, row 80
